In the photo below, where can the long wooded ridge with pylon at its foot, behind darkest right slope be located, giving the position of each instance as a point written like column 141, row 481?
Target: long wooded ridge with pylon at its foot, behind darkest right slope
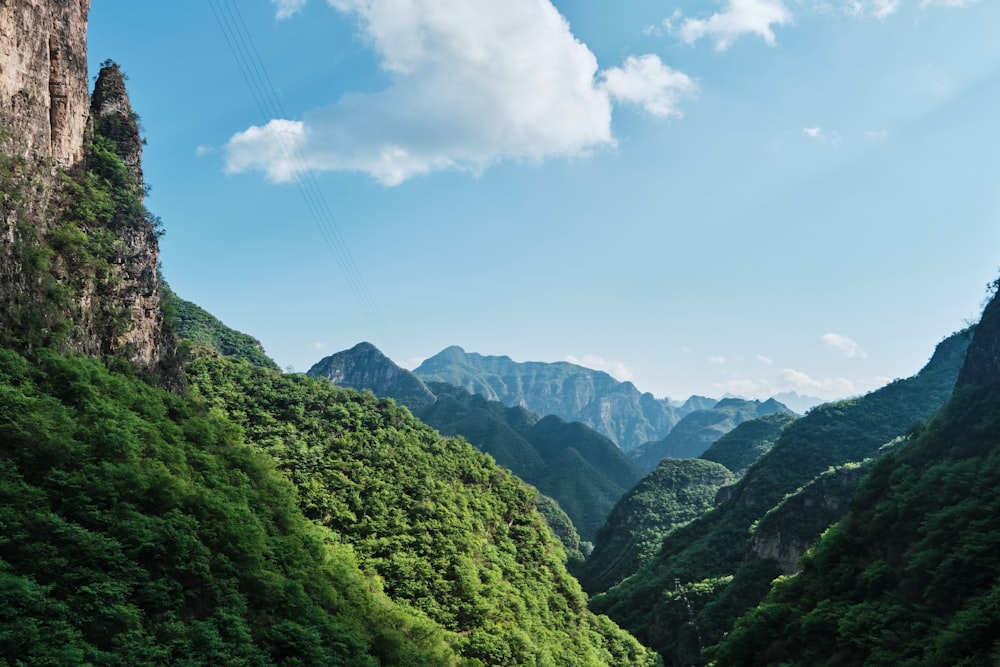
column 709, row 555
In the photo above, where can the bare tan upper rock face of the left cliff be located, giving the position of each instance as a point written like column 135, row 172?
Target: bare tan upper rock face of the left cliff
column 43, row 79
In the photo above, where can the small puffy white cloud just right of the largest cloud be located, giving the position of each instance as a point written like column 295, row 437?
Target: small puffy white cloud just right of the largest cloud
column 646, row 82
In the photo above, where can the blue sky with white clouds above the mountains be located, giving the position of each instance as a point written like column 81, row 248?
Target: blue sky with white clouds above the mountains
column 747, row 196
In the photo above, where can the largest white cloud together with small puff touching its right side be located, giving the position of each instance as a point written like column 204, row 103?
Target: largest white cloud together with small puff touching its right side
column 470, row 84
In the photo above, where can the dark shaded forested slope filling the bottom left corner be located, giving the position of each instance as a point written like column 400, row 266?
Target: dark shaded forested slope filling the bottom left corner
column 138, row 529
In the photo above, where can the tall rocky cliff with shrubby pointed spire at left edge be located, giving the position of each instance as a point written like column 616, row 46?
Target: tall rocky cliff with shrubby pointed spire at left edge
column 79, row 250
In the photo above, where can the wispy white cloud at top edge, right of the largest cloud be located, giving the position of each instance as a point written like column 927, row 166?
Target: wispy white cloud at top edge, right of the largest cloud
column 740, row 17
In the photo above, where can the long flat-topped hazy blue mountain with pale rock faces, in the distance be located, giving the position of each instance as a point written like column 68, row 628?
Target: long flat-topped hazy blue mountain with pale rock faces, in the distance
column 615, row 409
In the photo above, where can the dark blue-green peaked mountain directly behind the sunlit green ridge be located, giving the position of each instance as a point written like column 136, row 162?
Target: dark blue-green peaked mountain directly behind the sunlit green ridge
column 583, row 471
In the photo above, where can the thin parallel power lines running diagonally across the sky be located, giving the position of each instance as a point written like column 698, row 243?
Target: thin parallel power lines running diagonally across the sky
column 251, row 65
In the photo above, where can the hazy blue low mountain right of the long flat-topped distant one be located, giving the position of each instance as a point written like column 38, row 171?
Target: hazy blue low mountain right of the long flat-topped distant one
column 696, row 432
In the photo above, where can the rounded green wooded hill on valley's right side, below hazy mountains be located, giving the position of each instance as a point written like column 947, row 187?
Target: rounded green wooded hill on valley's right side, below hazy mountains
column 673, row 494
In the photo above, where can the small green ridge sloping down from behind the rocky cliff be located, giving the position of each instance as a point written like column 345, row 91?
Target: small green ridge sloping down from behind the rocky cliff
column 195, row 324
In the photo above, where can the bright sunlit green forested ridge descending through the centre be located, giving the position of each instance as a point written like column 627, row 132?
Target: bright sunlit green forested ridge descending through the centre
column 446, row 530
